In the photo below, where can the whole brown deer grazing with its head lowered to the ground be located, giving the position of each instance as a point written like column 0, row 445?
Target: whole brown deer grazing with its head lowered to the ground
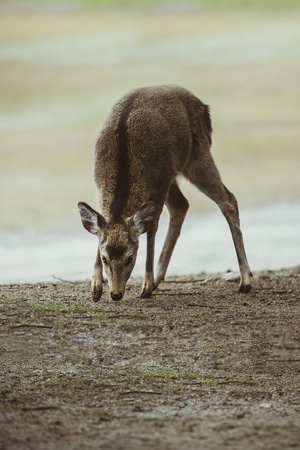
column 152, row 136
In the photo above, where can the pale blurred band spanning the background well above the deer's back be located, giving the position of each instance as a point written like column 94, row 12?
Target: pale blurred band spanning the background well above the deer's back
column 109, row 48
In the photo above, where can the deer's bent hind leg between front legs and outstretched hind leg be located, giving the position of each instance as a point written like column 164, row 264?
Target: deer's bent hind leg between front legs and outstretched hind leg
column 177, row 205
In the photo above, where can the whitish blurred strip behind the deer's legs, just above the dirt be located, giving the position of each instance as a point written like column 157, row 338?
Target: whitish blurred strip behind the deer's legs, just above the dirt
column 271, row 234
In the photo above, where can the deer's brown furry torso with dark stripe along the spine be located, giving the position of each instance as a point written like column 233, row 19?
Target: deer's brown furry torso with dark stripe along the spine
column 146, row 142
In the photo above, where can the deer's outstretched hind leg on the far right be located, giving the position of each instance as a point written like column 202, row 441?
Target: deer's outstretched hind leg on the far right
column 204, row 174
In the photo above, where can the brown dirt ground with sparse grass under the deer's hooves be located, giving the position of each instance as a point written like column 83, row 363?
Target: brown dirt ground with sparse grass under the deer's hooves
column 198, row 366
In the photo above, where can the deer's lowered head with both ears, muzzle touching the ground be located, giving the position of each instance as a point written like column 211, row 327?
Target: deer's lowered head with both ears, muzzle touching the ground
column 118, row 242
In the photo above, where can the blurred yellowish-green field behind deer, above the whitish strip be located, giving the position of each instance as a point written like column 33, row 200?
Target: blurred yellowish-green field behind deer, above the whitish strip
column 64, row 63
